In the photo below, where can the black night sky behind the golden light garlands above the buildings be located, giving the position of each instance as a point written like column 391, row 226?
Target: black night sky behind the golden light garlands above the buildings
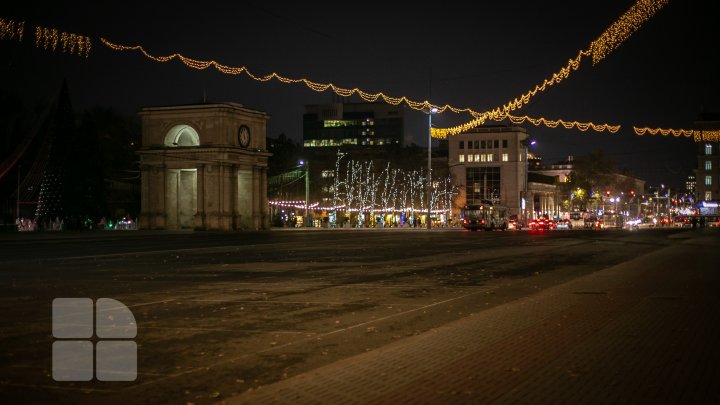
column 478, row 56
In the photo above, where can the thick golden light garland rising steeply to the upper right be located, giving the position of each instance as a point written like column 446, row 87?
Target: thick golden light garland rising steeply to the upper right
column 610, row 40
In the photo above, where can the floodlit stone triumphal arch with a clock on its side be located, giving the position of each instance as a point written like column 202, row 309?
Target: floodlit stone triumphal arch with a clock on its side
column 203, row 167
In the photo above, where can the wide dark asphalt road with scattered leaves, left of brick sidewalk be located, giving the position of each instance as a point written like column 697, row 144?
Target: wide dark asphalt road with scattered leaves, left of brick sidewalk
column 219, row 314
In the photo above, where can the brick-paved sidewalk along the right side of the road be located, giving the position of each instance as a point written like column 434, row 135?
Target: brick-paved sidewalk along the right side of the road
column 644, row 331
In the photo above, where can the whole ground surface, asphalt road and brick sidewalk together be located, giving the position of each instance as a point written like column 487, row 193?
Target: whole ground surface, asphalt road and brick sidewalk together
column 377, row 316
